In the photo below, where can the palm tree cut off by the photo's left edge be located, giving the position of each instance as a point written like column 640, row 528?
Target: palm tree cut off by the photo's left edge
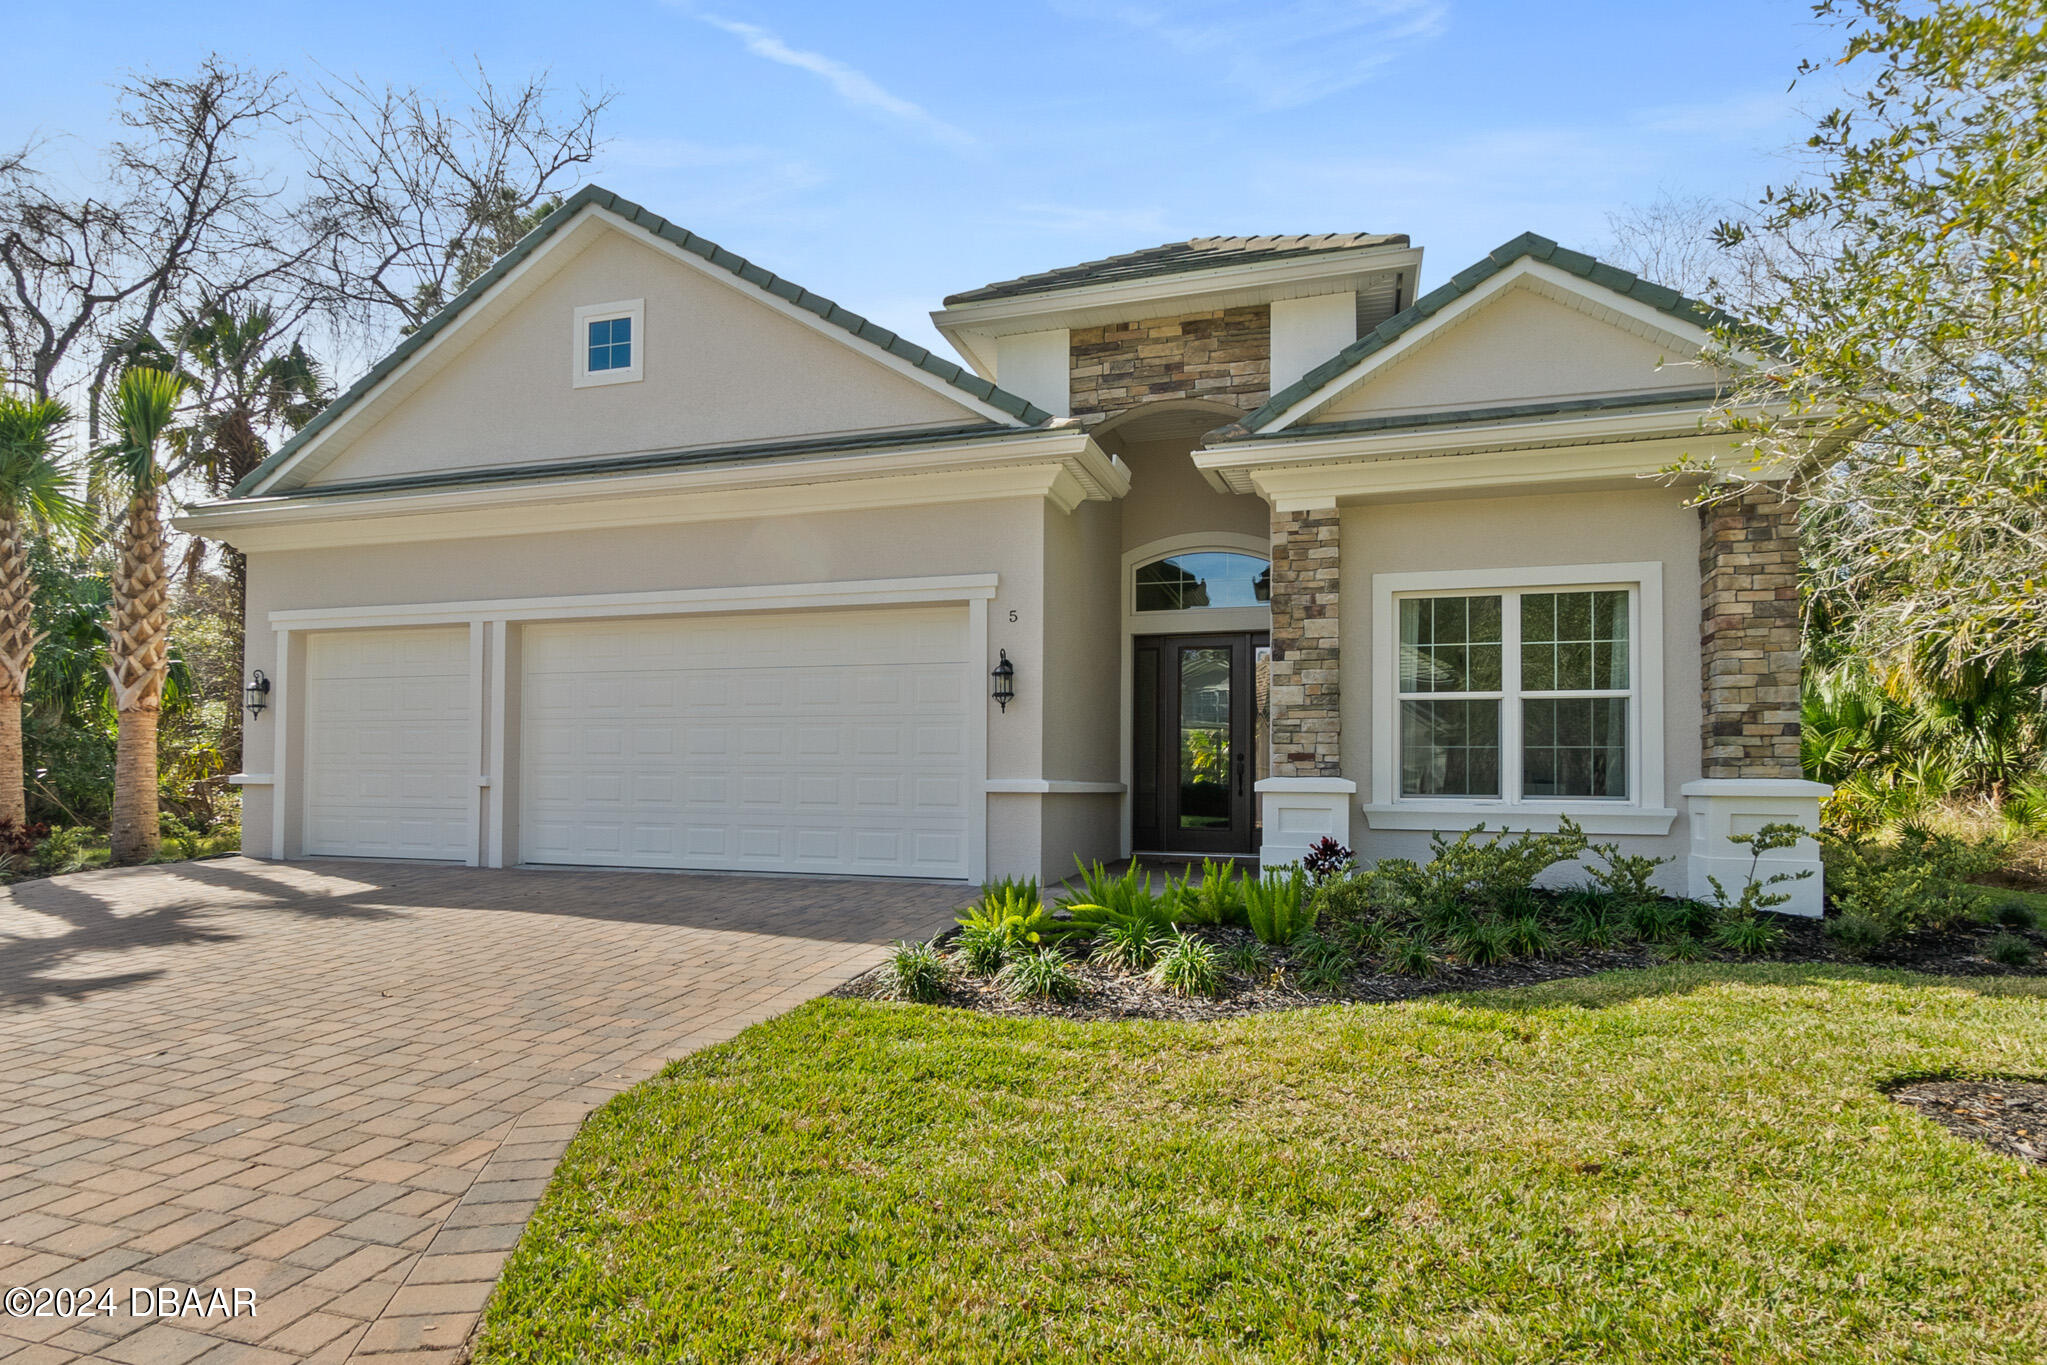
column 34, row 496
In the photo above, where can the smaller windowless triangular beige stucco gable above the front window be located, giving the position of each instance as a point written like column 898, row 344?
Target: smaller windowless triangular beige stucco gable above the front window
column 1516, row 349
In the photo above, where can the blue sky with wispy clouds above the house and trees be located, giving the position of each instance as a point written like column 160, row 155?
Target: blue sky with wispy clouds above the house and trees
column 891, row 155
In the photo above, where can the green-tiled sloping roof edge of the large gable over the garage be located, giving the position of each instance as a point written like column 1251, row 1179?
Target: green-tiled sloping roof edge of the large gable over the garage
column 656, row 226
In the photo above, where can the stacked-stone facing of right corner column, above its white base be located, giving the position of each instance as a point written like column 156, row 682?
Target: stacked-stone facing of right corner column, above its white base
column 1751, row 635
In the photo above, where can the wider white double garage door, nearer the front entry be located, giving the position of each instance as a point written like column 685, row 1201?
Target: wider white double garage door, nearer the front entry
column 818, row 742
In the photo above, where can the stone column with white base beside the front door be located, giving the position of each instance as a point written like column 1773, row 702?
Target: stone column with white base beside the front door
column 1307, row 797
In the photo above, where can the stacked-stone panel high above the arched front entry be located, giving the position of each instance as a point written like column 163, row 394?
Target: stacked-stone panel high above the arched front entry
column 1219, row 355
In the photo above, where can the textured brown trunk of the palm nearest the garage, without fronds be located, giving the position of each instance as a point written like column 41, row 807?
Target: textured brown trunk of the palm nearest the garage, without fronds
column 138, row 654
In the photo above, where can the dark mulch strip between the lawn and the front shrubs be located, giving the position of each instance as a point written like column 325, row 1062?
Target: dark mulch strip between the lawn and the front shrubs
column 1110, row 996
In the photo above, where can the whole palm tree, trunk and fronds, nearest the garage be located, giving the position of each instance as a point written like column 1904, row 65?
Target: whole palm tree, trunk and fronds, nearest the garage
column 138, row 631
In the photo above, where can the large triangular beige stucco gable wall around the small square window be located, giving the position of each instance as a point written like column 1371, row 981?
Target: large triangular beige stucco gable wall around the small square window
column 720, row 367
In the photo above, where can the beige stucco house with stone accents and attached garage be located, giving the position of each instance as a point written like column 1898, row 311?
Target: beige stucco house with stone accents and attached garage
column 640, row 556
